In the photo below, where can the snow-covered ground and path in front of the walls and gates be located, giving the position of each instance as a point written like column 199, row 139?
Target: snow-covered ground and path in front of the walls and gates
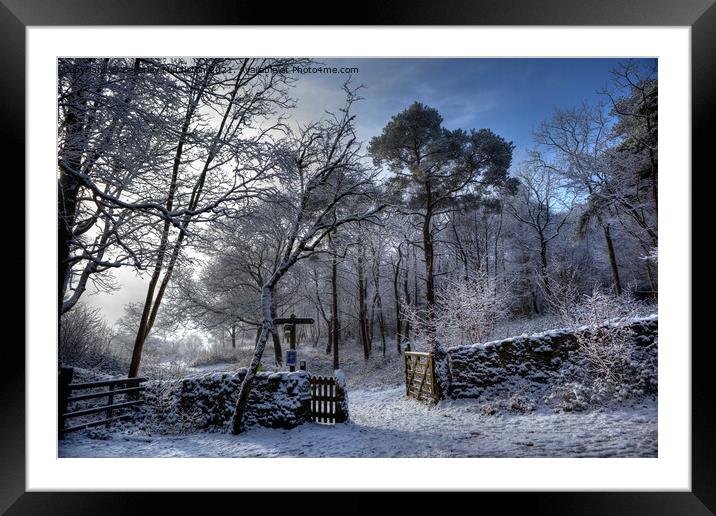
column 387, row 424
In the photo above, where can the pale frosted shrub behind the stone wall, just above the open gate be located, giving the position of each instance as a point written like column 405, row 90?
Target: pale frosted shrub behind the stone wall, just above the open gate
column 466, row 311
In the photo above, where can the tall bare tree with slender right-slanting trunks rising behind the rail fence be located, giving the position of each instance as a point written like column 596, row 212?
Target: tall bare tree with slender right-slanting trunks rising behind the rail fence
column 220, row 158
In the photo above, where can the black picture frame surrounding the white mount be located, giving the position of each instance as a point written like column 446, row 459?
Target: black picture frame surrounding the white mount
column 700, row 15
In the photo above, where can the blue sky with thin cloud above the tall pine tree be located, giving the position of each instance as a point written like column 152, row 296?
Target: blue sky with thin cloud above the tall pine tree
column 509, row 96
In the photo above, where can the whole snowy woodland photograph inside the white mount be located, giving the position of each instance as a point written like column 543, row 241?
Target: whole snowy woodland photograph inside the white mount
column 320, row 257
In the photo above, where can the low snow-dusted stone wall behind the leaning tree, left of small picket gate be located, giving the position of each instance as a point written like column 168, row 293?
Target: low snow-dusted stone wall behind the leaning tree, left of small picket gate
column 206, row 402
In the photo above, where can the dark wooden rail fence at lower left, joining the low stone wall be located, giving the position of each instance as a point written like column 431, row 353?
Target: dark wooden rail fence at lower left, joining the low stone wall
column 126, row 388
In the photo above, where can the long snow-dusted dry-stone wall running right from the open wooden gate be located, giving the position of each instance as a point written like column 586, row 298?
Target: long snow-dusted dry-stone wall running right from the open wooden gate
column 515, row 363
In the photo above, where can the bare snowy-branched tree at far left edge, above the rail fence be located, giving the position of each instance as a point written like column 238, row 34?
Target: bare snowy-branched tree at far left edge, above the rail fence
column 113, row 132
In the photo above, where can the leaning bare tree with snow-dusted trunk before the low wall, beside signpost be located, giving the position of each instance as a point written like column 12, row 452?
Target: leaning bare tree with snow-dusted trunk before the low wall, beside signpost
column 320, row 179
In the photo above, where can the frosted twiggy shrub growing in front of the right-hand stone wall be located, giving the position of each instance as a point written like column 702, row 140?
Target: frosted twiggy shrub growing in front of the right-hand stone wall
column 603, row 337
